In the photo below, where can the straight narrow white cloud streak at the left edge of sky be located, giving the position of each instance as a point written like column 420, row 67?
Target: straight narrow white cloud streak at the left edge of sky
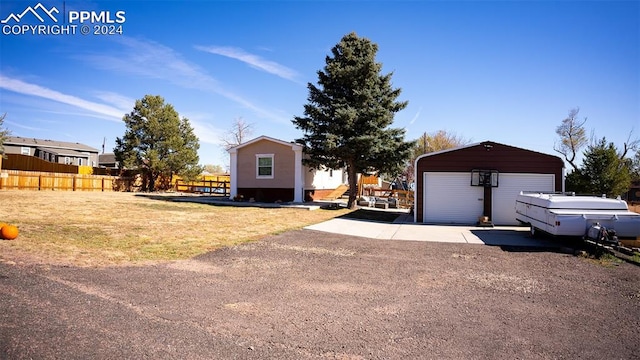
column 16, row 85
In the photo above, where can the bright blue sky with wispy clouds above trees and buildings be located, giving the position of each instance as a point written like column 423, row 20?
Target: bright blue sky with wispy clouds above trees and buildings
column 506, row 71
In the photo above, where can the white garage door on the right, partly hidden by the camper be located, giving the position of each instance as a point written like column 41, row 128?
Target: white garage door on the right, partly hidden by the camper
column 503, row 199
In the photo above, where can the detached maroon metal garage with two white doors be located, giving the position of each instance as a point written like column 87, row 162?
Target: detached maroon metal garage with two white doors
column 458, row 186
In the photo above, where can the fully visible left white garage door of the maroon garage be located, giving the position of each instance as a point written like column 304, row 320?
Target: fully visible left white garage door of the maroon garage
column 449, row 198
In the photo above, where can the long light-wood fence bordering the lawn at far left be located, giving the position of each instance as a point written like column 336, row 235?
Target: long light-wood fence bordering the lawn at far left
column 34, row 180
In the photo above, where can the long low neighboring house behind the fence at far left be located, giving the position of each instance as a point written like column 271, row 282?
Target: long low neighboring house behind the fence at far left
column 53, row 151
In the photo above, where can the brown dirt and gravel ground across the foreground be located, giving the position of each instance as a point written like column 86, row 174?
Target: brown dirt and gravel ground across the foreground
column 309, row 295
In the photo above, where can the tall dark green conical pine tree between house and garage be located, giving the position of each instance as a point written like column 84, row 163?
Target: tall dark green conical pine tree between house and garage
column 348, row 115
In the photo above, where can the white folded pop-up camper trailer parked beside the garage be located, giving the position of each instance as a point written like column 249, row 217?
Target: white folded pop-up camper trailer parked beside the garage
column 570, row 215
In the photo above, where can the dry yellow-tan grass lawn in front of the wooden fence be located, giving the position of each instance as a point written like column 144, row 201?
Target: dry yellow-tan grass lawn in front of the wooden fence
column 99, row 229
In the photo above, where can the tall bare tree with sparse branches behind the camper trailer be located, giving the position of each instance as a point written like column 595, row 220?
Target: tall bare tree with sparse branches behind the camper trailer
column 572, row 137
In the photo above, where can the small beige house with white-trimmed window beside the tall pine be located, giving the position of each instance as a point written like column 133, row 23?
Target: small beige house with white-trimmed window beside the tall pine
column 268, row 170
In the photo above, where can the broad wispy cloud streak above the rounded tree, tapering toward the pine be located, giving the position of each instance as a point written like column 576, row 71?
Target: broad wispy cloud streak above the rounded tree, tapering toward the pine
column 153, row 60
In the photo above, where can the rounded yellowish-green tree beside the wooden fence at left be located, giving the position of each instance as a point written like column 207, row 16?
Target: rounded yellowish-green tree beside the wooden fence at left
column 158, row 143
